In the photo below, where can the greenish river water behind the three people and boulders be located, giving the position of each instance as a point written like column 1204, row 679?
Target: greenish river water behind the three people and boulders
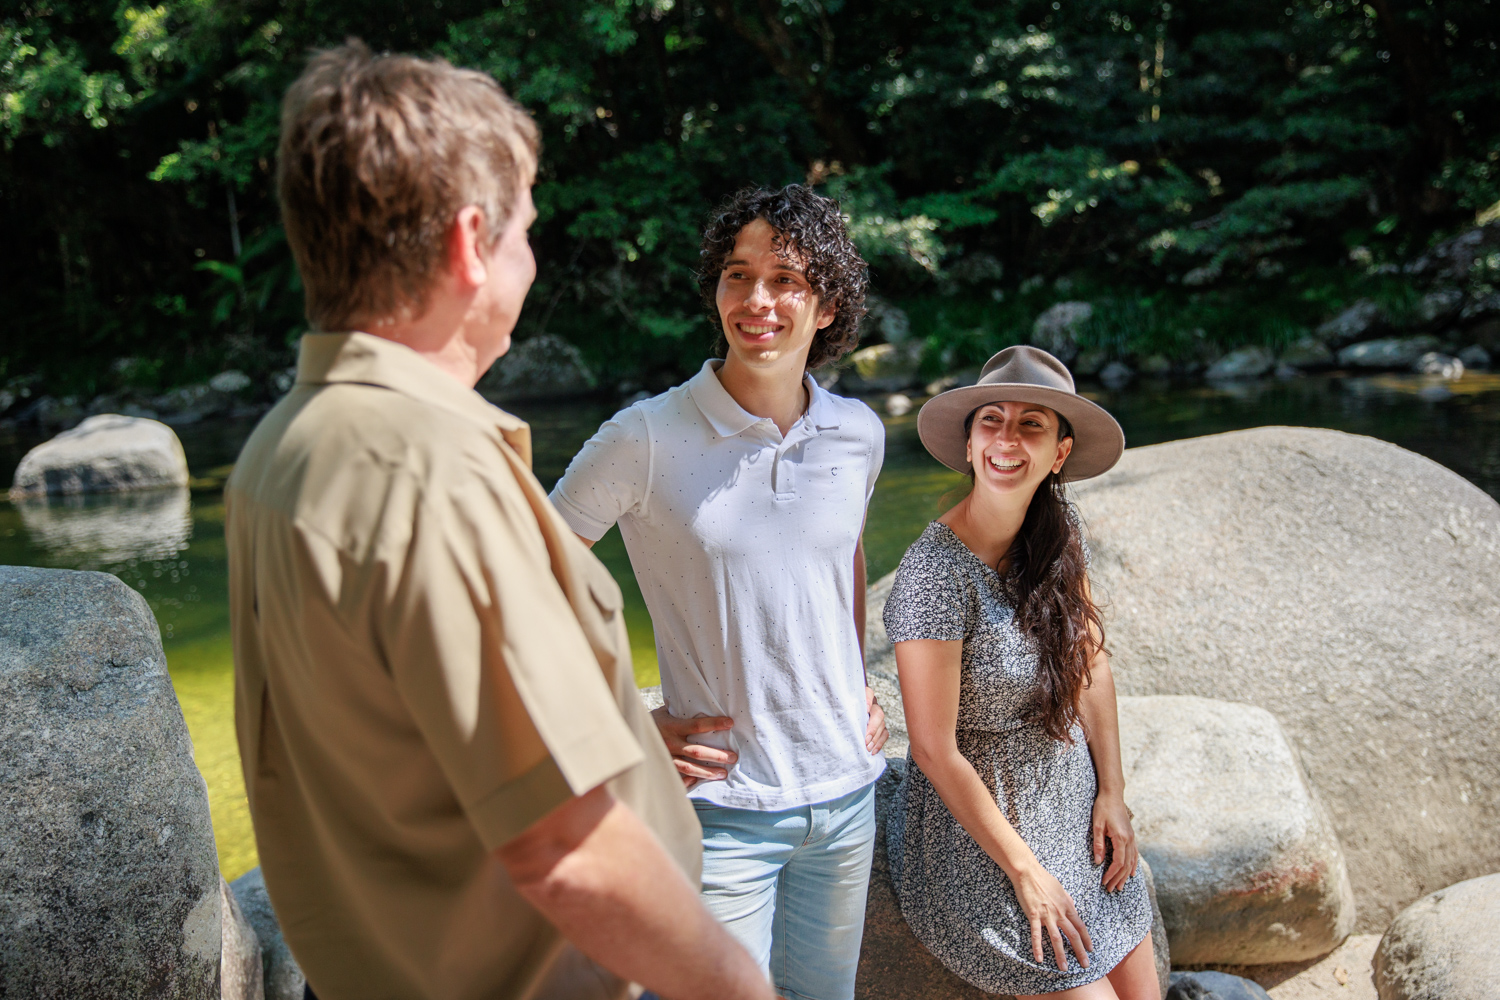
column 170, row 546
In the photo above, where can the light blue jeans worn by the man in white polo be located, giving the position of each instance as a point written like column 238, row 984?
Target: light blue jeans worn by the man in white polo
column 791, row 887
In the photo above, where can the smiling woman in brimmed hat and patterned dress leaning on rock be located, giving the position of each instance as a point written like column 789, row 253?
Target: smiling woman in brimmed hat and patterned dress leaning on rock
column 1012, row 849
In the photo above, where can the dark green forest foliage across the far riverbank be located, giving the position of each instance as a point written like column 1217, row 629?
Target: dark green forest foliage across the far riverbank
column 1234, row 166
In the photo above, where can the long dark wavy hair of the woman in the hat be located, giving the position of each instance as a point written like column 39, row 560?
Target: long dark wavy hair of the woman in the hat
column 1048, row 579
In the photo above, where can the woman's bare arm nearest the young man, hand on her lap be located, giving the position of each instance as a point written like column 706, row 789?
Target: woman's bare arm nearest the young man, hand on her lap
column 929, row 671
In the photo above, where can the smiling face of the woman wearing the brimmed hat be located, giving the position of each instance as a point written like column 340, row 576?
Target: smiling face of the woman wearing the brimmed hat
column 1015, row 446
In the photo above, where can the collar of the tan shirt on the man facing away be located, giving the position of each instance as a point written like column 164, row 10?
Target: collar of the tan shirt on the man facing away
column 370, row 361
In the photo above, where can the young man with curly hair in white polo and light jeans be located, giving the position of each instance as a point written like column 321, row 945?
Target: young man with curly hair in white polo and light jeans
column 742, row 499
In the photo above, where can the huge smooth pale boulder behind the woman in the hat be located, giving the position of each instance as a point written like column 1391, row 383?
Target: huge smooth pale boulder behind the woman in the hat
column 1351, row 588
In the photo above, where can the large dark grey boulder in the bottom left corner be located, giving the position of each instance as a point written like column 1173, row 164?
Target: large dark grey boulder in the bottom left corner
column 109, row 875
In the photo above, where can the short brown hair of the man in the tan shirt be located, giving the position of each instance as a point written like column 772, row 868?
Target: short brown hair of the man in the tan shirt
column 377, row 157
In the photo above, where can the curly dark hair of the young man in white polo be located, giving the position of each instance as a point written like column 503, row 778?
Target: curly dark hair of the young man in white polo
column 809, row 226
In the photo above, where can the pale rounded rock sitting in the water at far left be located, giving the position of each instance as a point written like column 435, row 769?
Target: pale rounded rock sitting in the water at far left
column 109, row 454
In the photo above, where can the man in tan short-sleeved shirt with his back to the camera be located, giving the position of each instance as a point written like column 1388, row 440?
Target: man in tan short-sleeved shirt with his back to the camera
column 455, row 789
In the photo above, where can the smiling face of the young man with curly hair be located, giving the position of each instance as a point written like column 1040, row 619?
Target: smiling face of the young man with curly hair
column 767, row 310
